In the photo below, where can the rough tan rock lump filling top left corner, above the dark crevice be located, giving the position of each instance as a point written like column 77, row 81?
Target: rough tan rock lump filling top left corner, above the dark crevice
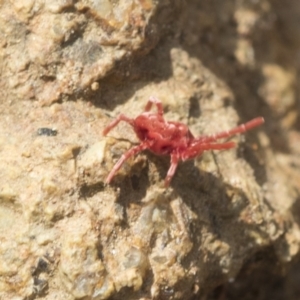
column 56, row 49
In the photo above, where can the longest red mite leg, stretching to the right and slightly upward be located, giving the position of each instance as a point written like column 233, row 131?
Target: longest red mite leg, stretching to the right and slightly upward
column 237, row 130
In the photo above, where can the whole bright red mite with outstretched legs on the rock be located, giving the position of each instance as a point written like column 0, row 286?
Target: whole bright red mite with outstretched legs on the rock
column 171, row 138
